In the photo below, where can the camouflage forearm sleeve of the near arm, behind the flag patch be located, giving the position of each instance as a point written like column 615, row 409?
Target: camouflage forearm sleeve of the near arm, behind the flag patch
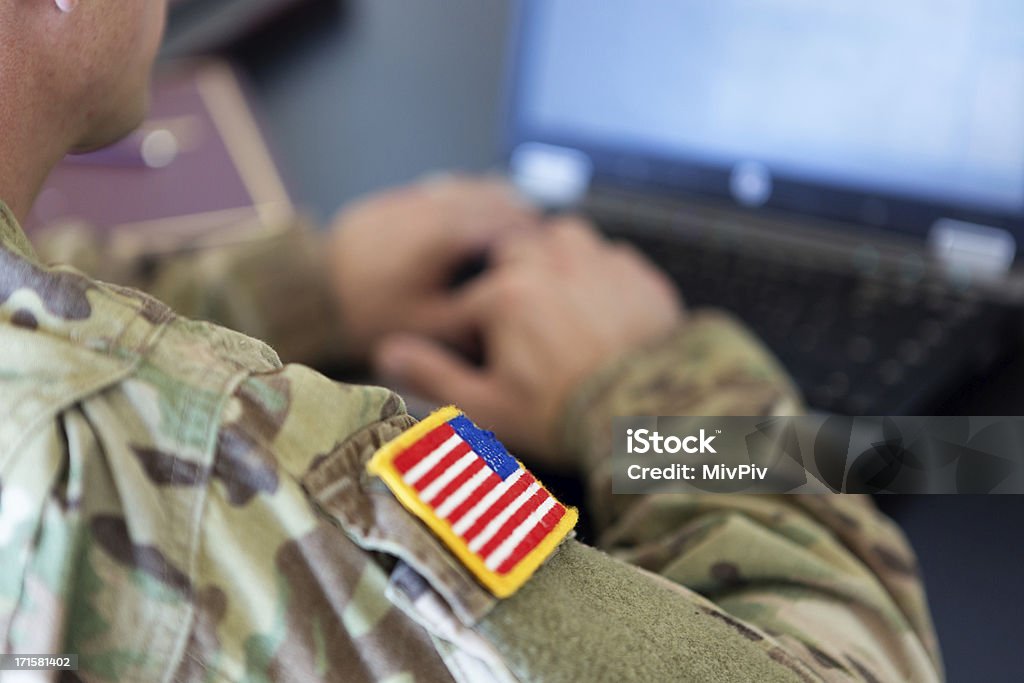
column 828, row 578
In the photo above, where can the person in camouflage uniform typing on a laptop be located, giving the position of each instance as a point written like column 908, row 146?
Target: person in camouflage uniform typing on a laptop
column 176, row 504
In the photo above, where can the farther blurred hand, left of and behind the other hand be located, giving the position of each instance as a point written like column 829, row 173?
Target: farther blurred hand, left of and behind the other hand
column 392, row 258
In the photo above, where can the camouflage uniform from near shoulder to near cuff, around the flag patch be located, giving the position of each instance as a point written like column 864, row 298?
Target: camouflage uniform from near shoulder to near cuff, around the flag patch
column 178, row 505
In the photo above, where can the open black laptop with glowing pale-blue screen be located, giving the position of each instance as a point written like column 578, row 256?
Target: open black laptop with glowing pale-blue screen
column 846, row 178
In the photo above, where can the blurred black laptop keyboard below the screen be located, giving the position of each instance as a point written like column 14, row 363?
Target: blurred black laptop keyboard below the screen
column 855, row 345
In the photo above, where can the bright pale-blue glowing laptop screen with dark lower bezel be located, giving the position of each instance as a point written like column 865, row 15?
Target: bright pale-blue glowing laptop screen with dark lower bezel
column 899, row 113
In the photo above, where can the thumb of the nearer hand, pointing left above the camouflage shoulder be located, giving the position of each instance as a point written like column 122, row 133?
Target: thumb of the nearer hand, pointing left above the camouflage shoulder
column 431, row 370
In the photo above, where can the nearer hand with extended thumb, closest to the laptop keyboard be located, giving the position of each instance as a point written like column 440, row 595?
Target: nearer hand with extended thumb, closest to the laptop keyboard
column 556, row 307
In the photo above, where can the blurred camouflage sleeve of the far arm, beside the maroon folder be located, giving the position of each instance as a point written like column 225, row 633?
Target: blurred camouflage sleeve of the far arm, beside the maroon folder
column 273, row 288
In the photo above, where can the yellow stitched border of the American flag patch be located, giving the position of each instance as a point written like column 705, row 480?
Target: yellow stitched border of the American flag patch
column 382, row 465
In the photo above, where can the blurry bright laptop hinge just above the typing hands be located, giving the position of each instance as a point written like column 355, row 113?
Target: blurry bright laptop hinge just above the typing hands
column 550, row 176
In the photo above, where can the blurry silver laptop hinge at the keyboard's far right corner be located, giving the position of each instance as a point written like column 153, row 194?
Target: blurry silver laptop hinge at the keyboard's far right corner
column 982, row 250
